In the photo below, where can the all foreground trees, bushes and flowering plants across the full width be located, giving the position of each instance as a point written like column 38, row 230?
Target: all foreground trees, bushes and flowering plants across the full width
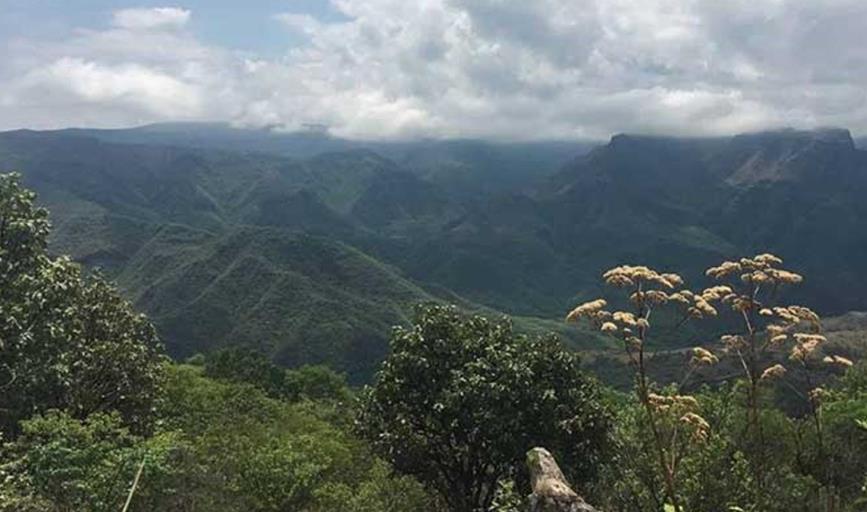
column 94, row 416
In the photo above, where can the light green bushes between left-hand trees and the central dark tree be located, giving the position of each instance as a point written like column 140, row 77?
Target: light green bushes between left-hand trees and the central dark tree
column 267, row 455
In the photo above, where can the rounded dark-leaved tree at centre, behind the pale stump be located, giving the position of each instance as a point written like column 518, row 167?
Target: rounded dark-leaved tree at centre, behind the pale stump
column 460, row 400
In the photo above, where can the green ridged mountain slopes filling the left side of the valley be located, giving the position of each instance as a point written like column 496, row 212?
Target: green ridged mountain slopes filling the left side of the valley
column 223, row 247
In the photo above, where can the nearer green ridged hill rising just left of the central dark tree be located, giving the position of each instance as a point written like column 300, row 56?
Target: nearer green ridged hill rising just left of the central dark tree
column 301, row 298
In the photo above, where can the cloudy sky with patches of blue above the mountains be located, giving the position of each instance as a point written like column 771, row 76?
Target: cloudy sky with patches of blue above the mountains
column 396, row 69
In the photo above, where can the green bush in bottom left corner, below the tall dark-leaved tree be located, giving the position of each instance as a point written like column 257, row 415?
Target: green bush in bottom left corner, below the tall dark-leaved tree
column 61, row 464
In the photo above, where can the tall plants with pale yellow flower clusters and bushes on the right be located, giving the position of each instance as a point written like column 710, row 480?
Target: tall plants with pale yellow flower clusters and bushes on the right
column 727, row 448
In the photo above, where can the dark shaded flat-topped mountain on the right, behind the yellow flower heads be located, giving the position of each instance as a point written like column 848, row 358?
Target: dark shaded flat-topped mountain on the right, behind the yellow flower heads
column 669, row 203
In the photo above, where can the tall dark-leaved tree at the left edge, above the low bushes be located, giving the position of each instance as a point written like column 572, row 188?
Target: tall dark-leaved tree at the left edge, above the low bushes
column 67, row 341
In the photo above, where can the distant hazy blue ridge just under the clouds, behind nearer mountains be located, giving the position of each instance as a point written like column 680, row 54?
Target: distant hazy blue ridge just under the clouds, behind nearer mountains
column 465, row 168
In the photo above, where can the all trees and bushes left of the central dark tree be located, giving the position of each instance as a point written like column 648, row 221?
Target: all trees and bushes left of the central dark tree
column 88, row 399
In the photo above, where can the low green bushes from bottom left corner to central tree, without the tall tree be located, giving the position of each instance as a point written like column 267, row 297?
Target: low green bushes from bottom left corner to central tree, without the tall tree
column 220, row 447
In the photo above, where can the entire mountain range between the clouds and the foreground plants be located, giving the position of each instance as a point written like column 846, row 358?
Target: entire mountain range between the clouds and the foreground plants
column 311, row 247
